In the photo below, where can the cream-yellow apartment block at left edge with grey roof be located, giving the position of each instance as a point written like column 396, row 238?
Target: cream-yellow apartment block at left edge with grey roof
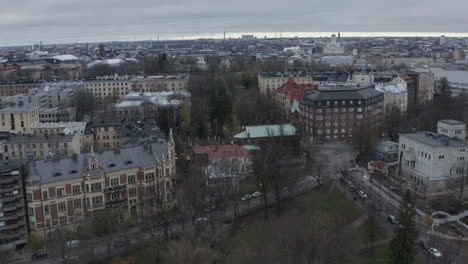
column 19, row 118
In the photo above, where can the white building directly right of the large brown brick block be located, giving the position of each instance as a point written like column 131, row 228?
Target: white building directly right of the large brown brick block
column 395, row 96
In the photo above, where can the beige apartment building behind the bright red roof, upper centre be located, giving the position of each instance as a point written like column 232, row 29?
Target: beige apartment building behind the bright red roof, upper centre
column 268, row 82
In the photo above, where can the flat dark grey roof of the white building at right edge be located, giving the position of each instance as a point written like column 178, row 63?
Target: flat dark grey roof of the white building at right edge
column 435, row 140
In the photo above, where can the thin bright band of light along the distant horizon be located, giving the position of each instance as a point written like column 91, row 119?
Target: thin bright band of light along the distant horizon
column 236, row 35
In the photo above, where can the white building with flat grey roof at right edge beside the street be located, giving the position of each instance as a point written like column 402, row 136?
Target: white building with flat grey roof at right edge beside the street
column 432, row 162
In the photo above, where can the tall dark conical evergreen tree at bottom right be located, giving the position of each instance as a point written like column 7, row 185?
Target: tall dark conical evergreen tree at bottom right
column 403, row 246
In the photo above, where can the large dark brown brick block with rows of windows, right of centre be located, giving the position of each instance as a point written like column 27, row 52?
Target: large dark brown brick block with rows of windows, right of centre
column 332, row 113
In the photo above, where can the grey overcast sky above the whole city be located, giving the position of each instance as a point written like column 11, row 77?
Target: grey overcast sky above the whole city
column 62, row 21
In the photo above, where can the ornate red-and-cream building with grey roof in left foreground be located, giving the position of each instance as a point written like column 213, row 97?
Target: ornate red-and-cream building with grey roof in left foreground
column 62, row 192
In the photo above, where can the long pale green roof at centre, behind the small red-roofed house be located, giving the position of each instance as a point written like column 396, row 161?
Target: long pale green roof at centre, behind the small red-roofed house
column 267, row 131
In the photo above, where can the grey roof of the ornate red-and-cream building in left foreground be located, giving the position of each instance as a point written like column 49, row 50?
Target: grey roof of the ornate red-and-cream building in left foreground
column 112, row 160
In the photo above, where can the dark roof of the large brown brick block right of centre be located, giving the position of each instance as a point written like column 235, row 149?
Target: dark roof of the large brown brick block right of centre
column 354, row 93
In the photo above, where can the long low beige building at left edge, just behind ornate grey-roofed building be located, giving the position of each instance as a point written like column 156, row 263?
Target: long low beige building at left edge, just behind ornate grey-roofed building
column 39, row 146
